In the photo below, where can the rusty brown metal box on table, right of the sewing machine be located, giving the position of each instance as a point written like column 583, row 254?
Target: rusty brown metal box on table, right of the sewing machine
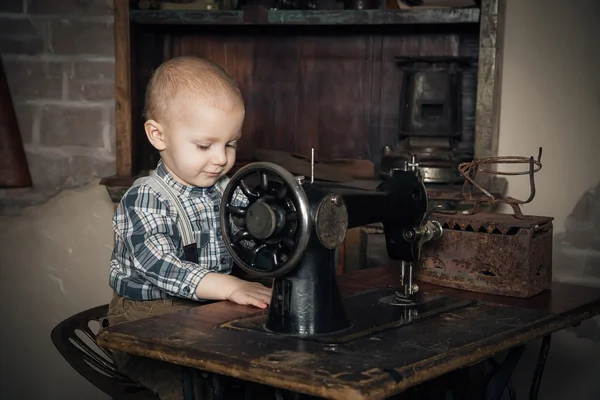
column 490, row 253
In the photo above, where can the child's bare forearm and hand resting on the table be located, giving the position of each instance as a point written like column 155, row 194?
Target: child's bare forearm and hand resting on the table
column 215, row 286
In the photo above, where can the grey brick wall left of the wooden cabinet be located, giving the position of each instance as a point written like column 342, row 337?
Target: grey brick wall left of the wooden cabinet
column 59, row 62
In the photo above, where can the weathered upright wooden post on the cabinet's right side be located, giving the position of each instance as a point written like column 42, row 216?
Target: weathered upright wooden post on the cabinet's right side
column 489, row 78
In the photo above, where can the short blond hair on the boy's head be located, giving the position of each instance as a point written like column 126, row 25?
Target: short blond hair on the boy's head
column 208, row 83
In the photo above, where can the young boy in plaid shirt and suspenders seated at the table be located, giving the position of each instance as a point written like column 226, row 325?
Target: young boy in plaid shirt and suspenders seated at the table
column 194, row 115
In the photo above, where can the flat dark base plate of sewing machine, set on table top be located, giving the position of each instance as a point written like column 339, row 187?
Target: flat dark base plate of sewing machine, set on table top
column 370, row 312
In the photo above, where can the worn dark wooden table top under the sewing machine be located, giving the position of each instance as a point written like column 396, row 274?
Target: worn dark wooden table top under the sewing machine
column 372, row 367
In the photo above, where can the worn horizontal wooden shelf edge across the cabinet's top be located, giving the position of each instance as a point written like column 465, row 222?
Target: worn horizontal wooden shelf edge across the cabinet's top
column 307, row 17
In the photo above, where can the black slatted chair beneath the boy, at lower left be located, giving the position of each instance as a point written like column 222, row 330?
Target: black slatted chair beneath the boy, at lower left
column 95, row 363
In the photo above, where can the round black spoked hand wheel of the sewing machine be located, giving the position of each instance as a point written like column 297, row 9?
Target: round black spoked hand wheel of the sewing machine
column 267, row 237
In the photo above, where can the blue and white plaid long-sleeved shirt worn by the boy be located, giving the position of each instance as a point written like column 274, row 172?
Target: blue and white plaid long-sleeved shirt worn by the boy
column 148, row 261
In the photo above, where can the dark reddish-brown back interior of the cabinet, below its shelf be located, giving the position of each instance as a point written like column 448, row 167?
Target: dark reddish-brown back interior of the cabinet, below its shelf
column 335, row 89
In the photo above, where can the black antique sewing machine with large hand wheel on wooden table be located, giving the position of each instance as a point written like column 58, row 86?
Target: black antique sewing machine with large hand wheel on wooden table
column 289, row 230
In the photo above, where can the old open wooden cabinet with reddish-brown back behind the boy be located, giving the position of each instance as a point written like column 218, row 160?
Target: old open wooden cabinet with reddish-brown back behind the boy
column 322, row 79
